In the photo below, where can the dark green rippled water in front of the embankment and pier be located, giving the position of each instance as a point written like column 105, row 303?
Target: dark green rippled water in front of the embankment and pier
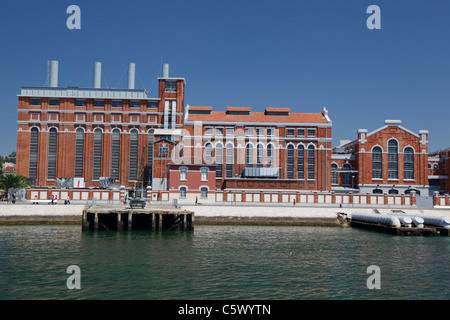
column 221, row 262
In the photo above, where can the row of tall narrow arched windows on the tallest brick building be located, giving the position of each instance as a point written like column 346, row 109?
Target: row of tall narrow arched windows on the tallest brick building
column 97, row 154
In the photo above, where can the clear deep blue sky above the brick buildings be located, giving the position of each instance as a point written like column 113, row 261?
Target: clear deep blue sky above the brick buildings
column 298, row 54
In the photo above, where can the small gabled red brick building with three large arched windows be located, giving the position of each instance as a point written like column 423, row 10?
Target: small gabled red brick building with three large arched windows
column 391, row 159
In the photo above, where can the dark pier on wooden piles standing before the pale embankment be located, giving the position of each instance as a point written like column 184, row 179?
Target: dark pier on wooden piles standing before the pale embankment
column 121, row 217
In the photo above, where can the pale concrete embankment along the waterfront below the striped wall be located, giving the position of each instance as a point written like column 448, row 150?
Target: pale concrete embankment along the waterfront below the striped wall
column 216, row 214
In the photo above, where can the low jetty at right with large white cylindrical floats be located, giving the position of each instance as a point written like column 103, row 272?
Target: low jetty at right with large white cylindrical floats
column 400, row 224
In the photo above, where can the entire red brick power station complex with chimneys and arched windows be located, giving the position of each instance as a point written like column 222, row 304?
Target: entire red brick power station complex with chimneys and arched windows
column 95, row 137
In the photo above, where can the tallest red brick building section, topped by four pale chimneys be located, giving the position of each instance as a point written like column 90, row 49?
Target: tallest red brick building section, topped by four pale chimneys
column 90, row 133
